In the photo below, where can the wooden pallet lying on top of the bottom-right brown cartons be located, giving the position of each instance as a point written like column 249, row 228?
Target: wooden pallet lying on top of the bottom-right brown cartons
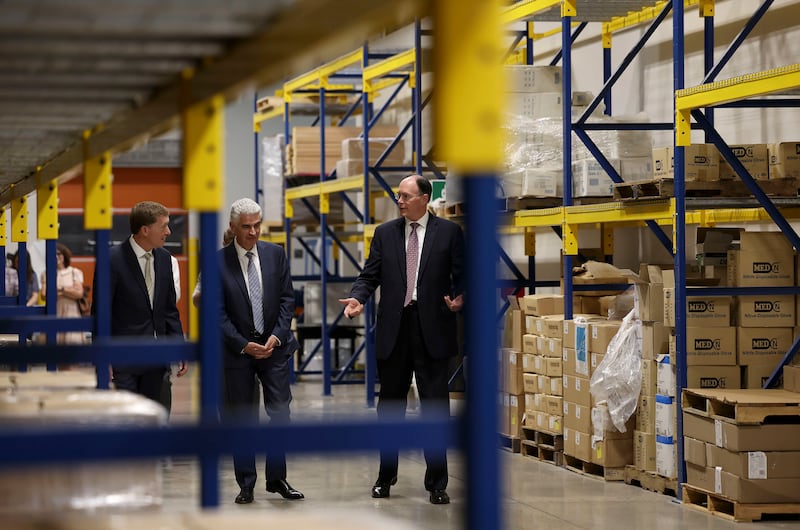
column 747, row 406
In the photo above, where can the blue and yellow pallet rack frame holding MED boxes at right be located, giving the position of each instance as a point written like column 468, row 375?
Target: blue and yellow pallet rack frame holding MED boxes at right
column 676, row 212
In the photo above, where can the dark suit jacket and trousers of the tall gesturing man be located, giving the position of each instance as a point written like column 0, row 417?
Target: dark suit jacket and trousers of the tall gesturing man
column 419, row 339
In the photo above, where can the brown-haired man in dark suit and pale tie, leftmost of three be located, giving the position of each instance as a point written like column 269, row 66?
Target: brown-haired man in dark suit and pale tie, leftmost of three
column 143, row 295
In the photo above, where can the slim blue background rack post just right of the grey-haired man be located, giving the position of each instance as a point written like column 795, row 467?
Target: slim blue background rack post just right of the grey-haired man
column 323, row 239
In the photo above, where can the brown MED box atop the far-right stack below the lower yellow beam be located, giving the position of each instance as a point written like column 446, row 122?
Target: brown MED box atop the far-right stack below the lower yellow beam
column 764, row 259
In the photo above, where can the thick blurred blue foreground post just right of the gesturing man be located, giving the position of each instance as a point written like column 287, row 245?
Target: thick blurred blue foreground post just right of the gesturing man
column 483, row 471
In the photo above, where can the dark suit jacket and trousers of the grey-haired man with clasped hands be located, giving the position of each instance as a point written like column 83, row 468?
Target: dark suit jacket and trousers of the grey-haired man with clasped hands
column 238, row 329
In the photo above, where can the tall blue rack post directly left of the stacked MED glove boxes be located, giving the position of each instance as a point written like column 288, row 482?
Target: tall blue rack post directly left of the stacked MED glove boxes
column 680, row 239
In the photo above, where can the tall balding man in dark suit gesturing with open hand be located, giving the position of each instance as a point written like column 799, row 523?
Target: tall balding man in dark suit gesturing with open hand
column 417, row 262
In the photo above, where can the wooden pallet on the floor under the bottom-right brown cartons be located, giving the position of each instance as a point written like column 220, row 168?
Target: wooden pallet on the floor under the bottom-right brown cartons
column 714, row 504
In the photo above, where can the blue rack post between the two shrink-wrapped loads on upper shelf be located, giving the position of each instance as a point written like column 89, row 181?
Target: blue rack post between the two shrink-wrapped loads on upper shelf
column 566, row 76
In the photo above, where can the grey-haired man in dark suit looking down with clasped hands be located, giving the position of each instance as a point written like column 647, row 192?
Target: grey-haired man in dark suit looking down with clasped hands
column 257, row 309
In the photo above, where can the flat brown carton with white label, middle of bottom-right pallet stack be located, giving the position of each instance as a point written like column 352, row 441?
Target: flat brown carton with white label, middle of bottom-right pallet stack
column 754, row 465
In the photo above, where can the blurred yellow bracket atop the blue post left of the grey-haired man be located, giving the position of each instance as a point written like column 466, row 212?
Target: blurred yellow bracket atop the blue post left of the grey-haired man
column 203, row 153
